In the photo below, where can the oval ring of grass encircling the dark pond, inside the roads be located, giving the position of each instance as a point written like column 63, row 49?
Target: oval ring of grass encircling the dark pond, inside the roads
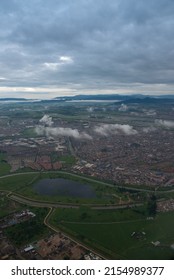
column 22, row 184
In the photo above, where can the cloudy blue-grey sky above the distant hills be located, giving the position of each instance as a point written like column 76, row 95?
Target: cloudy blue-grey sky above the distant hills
column 51, row 48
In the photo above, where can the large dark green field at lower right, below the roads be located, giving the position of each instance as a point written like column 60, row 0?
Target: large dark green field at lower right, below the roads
column 110, row 232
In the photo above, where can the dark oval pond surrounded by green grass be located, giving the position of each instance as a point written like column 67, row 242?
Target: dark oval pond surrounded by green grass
column 64, row 187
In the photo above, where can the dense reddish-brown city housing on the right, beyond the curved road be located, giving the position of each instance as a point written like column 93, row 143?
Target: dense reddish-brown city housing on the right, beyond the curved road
column 142, row 159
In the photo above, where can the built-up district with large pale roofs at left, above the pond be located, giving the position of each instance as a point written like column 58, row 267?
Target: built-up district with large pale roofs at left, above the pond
column 37, row 154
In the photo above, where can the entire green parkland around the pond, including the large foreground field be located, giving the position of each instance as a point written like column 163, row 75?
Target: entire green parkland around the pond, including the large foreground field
column 113, row 223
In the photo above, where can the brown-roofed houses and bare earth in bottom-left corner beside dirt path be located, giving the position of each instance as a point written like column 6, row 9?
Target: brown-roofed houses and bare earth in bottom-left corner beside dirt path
column 54, row 247
